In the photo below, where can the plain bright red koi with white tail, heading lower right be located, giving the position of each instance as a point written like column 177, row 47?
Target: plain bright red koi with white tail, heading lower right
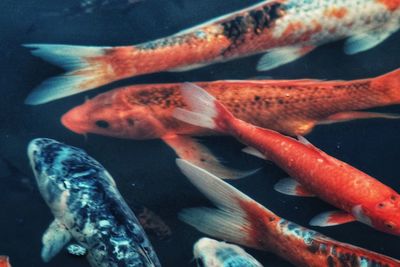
column 315, row 173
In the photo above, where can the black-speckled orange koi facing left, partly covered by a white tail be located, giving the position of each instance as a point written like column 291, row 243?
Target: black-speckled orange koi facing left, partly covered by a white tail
column 292, row 107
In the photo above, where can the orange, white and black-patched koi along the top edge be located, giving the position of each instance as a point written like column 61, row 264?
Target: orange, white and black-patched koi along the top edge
column 285, row 29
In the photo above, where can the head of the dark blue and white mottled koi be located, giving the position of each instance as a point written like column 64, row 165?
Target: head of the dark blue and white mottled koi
column 61, row 171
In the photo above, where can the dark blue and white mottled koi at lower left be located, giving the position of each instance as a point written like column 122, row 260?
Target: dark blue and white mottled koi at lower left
column 87, row 207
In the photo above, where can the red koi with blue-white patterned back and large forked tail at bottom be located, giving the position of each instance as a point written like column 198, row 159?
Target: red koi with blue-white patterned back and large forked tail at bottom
column 241, row 220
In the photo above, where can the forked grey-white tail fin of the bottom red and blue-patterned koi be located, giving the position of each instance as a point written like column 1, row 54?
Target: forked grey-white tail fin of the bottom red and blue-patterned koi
column 238, row 219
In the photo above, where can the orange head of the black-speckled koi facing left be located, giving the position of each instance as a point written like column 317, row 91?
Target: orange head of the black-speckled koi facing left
column 112, row 116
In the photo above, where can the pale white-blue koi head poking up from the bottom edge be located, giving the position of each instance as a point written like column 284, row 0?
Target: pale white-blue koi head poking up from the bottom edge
column 211, row 253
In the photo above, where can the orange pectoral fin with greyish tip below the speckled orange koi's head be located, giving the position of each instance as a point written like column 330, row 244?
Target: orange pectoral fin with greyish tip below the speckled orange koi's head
column 191, row 150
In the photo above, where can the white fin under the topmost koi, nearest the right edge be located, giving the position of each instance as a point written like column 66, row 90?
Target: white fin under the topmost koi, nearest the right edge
column 364, row 41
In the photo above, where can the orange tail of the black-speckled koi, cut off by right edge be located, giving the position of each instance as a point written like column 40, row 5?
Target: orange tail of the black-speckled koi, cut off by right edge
column 390, row 84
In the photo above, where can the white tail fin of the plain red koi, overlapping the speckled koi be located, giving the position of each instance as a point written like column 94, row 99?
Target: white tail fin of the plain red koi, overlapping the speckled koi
column 206, row 111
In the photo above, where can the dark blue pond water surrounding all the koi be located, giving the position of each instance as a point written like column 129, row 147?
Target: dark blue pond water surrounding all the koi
column 145, row 171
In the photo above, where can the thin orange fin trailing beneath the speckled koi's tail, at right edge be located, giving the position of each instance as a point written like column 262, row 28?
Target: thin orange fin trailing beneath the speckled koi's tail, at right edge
column 355, row 115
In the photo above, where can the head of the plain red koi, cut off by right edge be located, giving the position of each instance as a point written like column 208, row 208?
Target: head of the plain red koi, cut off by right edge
column 384, row 216
